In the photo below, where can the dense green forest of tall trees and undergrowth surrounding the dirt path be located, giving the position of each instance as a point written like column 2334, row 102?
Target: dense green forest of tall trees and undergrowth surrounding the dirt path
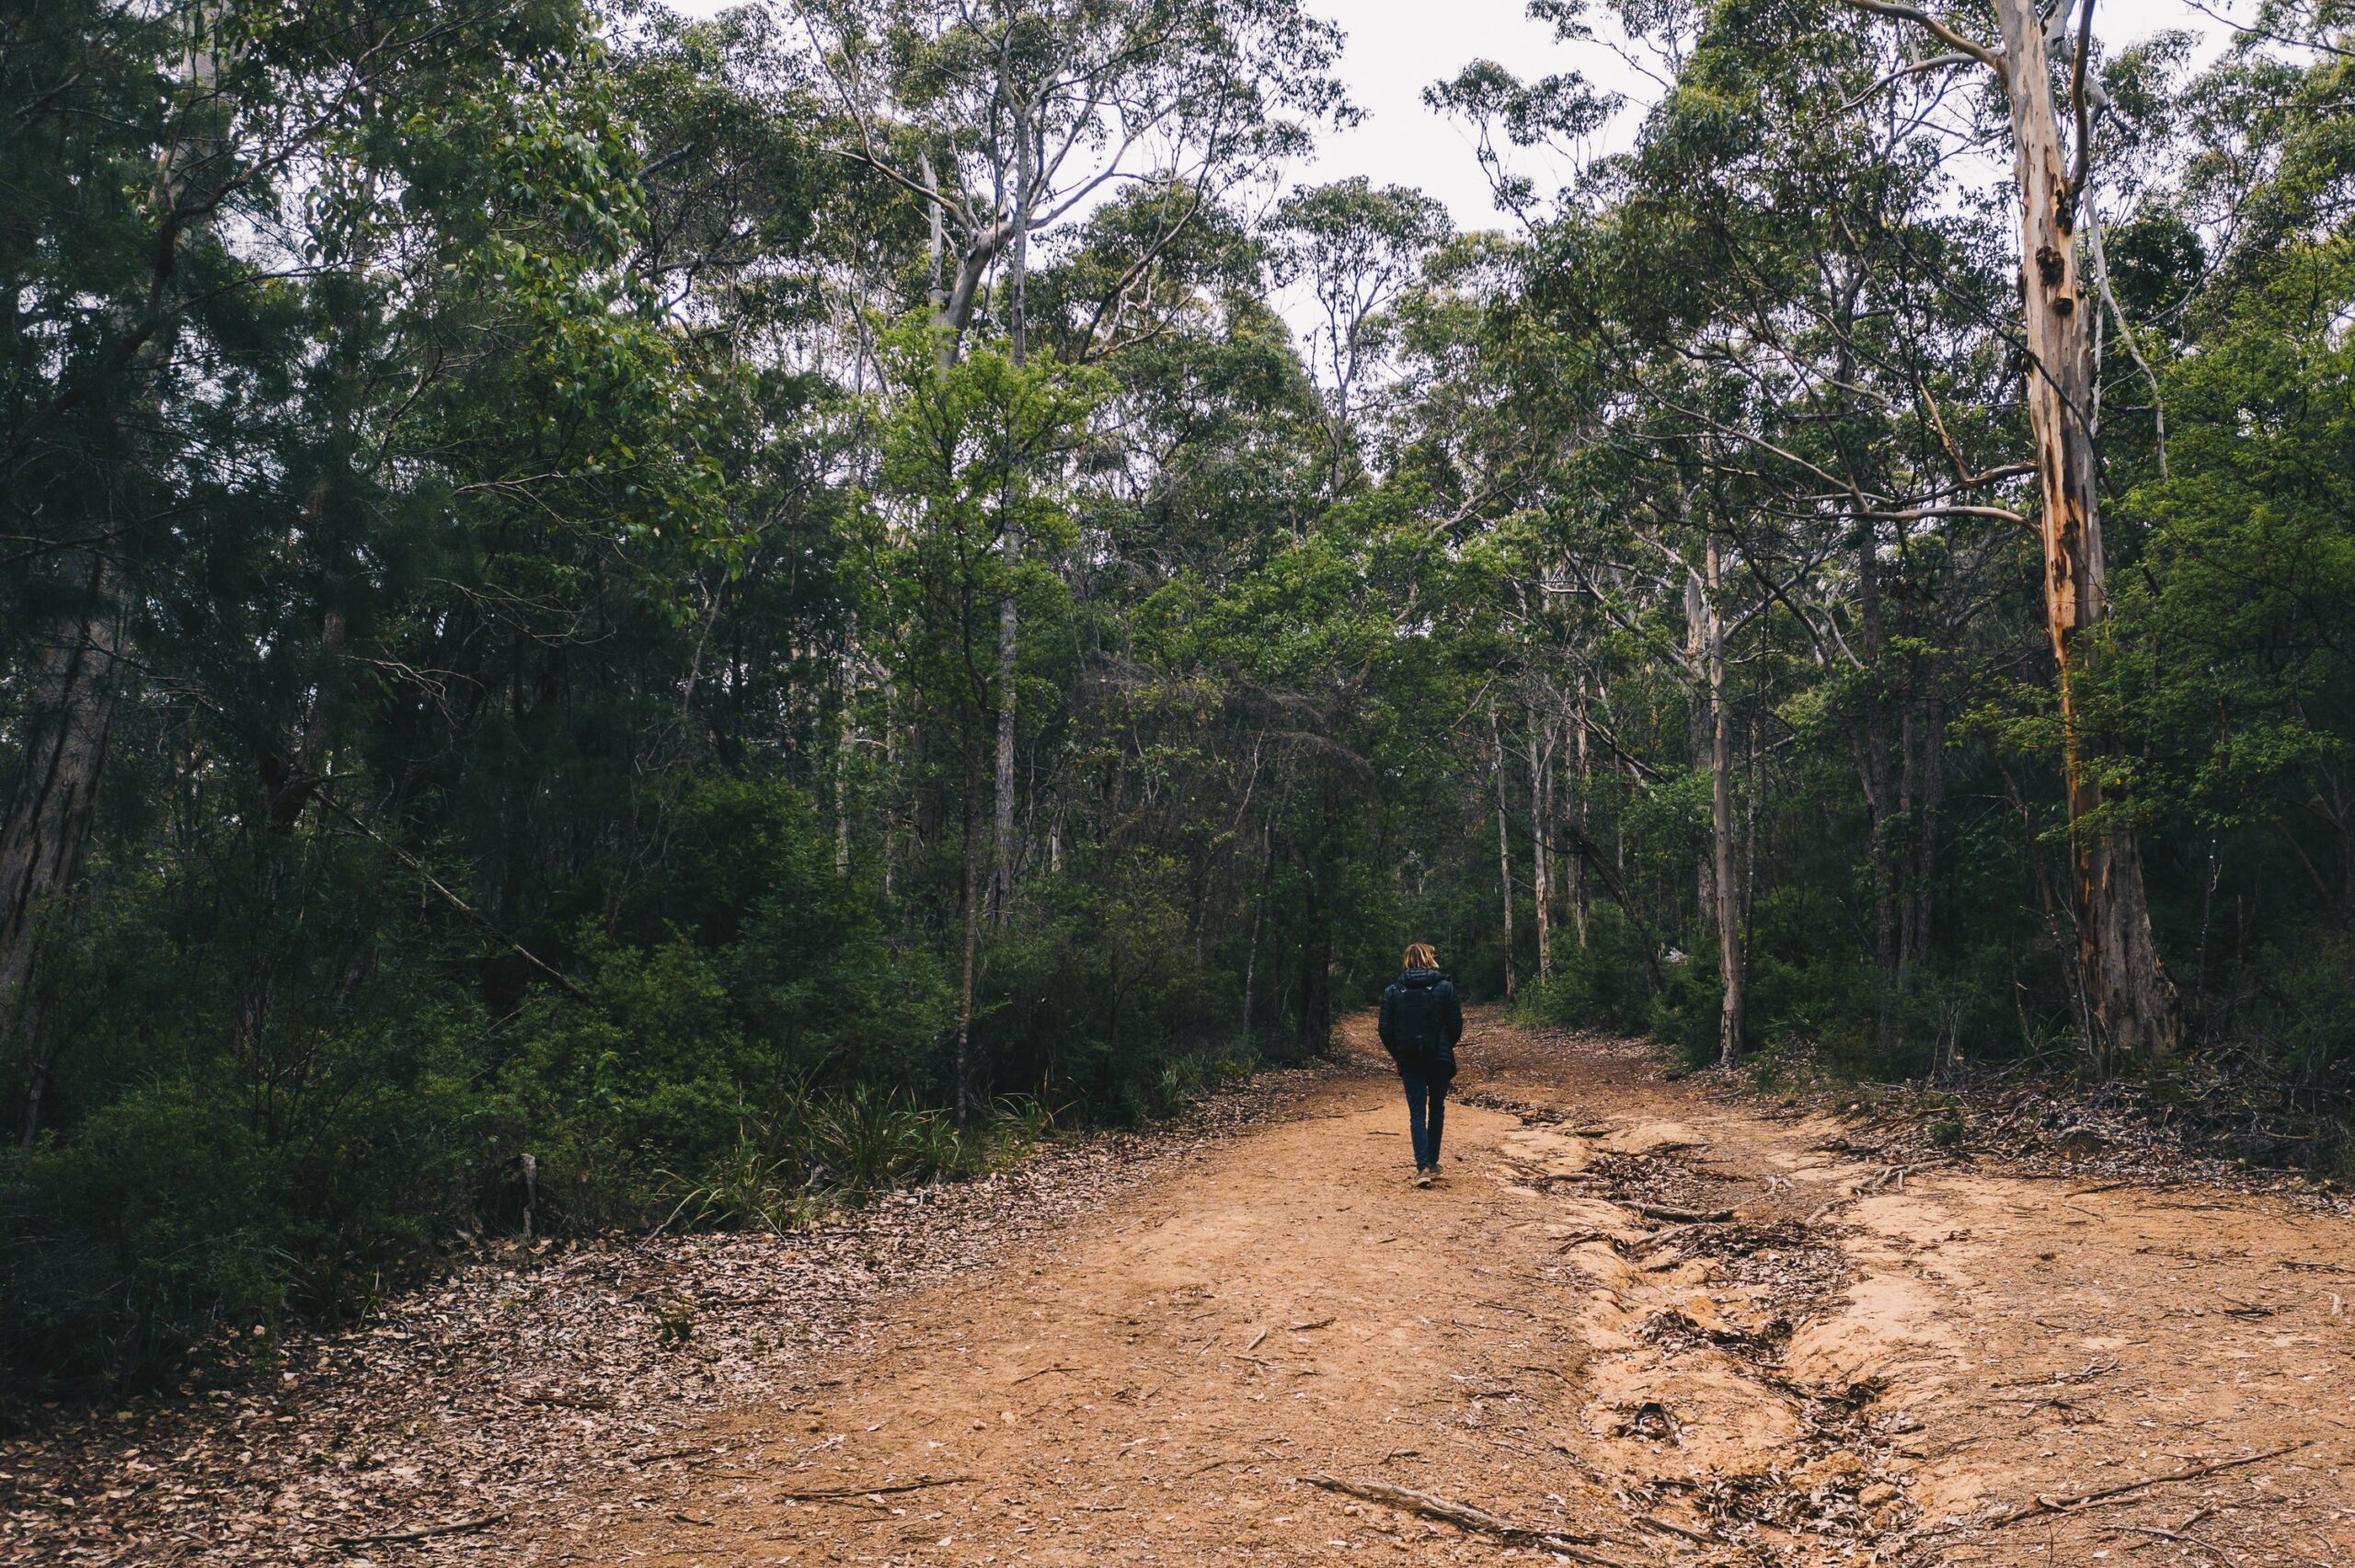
column 618, row 620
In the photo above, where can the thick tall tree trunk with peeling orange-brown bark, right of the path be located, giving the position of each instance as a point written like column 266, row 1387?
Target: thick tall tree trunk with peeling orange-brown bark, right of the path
column 2130, row 995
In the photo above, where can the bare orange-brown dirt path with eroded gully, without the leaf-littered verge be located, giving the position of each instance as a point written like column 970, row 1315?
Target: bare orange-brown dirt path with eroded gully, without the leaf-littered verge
column 1824, row 1378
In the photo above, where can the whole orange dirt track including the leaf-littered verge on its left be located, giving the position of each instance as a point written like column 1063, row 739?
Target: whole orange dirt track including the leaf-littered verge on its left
column 1139, row 1350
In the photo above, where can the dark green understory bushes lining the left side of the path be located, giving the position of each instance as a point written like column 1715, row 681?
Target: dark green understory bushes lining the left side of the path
column 277, row 1112
